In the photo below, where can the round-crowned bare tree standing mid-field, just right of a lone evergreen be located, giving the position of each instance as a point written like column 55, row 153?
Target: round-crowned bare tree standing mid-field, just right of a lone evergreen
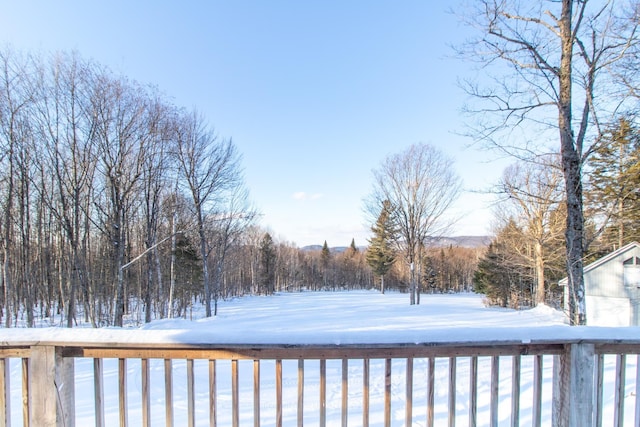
column 421, row 185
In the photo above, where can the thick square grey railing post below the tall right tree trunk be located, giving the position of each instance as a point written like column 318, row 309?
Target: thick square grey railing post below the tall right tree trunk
column 573, row 378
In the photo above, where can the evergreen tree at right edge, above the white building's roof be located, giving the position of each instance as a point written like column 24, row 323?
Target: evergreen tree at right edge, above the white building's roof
column 615, row 184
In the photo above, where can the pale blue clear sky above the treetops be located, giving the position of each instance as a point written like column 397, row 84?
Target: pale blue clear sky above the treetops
column 315, row 94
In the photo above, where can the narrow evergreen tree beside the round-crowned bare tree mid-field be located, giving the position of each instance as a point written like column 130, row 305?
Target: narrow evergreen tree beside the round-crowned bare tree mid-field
column 381, row 255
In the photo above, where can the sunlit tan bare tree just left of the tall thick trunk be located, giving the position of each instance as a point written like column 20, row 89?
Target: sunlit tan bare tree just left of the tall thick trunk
column 535, row 192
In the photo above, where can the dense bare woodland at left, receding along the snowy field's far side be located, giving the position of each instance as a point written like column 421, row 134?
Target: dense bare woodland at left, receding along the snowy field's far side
column 118, row 204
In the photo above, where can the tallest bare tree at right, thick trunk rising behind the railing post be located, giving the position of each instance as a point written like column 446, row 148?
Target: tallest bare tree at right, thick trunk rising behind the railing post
column 548, row 63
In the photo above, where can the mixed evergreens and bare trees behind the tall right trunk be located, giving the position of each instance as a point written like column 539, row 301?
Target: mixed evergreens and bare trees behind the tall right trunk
column 525, row 260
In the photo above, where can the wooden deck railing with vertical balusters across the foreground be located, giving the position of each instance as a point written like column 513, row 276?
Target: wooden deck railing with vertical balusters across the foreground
column 48, row 370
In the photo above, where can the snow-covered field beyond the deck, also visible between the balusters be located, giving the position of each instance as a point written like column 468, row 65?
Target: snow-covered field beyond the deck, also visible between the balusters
column 334, row 318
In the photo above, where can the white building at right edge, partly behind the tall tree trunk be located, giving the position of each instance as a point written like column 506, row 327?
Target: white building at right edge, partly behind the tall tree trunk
column 612, row 288
